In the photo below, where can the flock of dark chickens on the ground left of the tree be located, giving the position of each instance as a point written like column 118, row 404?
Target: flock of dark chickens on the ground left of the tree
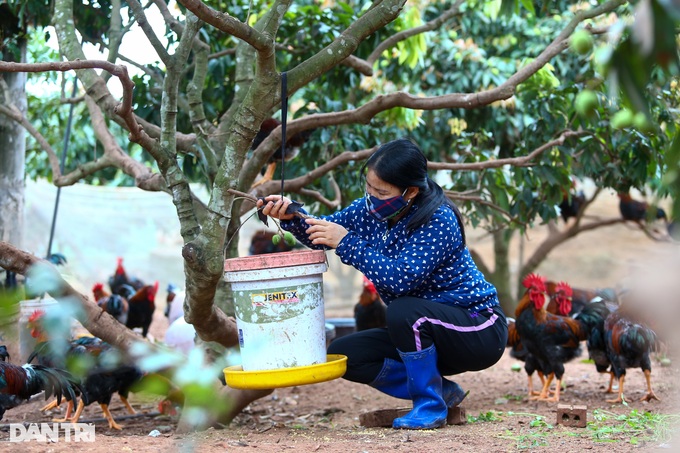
column 97, row 369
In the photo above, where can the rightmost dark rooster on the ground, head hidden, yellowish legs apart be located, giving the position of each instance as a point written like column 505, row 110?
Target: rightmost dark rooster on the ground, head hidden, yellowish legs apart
column 629, row 345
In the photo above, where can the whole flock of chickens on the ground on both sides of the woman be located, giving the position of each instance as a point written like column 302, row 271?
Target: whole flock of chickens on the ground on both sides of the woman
column 551, row 322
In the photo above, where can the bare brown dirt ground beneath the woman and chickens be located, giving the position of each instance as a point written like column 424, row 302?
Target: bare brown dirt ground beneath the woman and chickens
column 324, row 417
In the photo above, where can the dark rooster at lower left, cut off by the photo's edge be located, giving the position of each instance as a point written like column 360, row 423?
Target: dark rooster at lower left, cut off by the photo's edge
column 19, row 383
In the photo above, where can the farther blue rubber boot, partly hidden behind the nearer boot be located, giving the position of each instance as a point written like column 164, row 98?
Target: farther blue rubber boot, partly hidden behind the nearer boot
column 392, row 381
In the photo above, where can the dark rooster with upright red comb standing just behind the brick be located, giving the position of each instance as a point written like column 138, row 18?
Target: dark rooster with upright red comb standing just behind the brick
column 552, row 339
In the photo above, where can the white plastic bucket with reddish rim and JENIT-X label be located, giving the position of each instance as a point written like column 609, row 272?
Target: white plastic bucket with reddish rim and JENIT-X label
column 279, row 307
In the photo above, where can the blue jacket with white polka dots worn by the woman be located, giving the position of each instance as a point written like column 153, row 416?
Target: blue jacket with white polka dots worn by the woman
column 430, row 262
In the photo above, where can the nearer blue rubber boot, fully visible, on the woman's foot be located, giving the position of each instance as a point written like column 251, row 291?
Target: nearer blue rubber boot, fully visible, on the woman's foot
column 424, row 384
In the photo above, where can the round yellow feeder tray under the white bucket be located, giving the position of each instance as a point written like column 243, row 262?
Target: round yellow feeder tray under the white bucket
column 335, row 367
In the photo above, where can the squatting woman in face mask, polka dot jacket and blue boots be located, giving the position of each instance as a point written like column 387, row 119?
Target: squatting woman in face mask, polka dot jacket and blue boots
column 443, row 317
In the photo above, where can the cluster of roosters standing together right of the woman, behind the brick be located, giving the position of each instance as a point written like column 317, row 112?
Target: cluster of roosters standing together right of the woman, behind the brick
column 547, row 335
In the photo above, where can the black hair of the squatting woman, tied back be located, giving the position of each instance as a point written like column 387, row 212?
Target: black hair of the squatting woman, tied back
column 402, row 164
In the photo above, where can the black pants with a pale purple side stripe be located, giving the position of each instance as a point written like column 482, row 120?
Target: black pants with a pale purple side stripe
column 464, row 341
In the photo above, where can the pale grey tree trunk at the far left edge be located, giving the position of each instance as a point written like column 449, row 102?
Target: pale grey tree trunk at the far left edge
column 13, row 158
